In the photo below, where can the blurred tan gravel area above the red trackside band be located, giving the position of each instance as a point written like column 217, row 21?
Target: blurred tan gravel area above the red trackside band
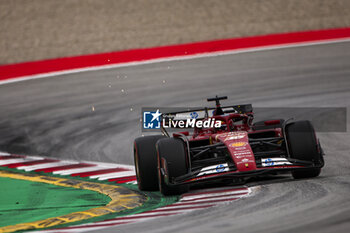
column 42, row 29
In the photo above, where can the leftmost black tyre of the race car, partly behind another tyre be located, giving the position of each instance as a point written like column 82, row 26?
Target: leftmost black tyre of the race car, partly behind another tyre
column 145, row 158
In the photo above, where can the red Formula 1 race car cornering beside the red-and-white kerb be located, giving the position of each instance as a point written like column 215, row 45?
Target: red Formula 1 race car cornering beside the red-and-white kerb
column 234, row 151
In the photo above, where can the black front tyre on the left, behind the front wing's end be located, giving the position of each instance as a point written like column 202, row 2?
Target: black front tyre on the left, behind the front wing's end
column 172, row 154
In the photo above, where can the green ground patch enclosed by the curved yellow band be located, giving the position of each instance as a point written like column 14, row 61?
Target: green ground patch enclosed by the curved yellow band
column 26, row 201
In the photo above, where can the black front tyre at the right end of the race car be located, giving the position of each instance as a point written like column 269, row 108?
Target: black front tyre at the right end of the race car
column 302, row 144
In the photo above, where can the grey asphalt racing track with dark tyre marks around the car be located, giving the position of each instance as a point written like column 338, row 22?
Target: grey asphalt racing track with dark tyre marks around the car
column 54, row 117
